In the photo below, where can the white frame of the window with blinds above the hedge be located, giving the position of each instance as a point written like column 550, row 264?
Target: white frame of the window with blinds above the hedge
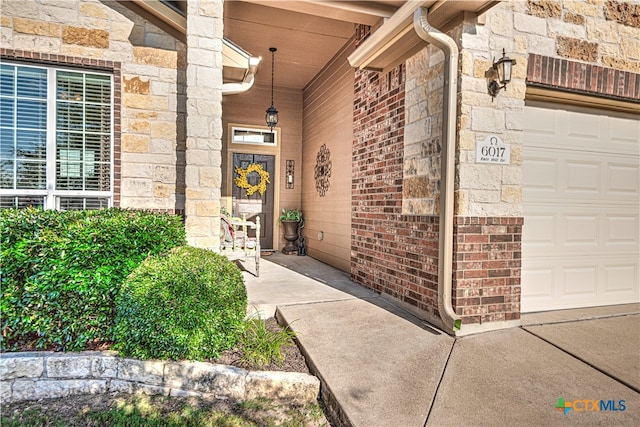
column 50, row 194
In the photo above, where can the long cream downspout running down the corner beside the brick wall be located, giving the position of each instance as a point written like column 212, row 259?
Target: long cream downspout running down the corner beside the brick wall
column 447, row 164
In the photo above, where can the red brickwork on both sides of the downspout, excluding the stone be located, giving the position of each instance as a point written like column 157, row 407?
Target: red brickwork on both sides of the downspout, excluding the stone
column 397, row 254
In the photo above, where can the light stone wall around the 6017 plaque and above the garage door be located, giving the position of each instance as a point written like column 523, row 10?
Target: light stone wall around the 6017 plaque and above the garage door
column 584, row 37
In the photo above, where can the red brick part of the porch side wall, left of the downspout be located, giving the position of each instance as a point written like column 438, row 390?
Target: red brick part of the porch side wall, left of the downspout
column 391, row 253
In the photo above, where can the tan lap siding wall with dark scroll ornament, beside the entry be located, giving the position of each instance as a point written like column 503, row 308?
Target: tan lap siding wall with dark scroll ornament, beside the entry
column 328, row 119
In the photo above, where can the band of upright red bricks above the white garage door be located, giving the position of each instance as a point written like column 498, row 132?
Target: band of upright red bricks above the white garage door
column 578, row 77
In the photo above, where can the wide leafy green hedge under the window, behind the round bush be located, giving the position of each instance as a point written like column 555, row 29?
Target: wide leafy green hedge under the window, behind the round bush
column 60, row 271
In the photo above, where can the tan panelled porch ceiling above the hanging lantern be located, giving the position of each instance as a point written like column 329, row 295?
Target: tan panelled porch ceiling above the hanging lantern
column 305, row 37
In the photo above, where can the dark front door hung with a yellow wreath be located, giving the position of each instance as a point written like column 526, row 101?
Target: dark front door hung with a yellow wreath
column 255, row 204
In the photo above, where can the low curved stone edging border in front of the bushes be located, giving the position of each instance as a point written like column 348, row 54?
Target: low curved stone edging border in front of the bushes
column 44, row 375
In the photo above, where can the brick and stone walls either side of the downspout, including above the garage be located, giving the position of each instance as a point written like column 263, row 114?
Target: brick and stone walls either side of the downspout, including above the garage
column 397, row 254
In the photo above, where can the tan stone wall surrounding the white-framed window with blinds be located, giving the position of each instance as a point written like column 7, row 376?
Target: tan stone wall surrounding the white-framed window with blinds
column 90, row 33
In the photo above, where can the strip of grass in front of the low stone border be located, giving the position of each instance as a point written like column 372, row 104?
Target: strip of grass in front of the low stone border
column 158, row 411
